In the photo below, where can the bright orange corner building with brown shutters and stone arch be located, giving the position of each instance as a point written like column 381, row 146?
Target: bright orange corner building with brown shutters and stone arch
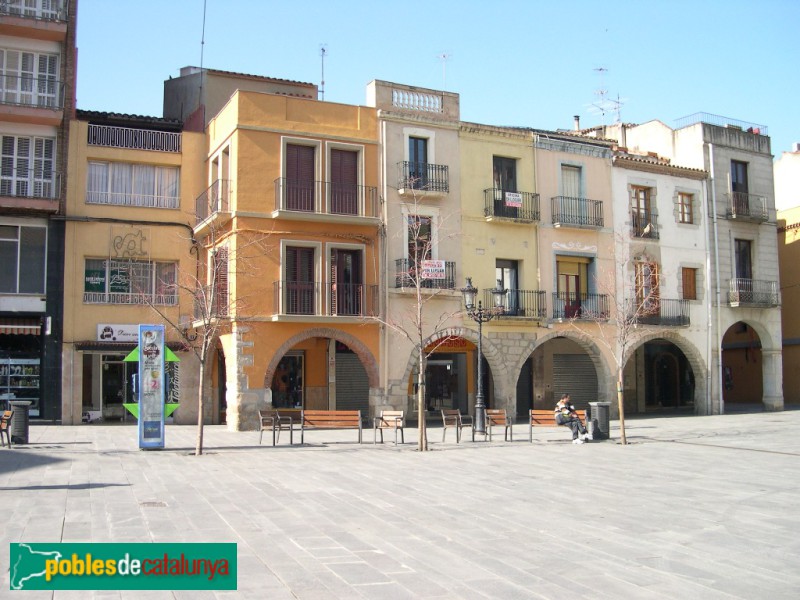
column 290, row 225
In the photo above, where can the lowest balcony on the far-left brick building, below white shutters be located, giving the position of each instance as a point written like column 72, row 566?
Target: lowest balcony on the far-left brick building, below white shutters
column 34, row 189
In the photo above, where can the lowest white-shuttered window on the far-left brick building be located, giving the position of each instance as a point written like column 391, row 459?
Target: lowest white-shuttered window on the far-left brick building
column 26, row 167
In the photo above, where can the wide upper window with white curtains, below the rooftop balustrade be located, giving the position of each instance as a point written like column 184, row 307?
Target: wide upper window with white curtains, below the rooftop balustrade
column 128, row 184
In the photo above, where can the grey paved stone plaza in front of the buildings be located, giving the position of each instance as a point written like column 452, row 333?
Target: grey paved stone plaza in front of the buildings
column 693, row 507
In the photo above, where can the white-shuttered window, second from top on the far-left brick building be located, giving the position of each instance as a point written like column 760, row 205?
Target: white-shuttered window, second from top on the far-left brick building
column 29, row 78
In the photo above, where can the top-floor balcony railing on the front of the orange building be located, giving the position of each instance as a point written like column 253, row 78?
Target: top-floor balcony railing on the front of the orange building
column 326, row 198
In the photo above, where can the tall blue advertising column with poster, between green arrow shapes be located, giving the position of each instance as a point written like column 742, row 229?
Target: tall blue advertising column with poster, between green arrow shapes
column 151, row 388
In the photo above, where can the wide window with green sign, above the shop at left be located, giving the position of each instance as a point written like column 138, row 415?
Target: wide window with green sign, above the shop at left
column 129, row 282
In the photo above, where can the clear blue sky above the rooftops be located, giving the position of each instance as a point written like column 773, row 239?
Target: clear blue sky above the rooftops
column 529, row 63
